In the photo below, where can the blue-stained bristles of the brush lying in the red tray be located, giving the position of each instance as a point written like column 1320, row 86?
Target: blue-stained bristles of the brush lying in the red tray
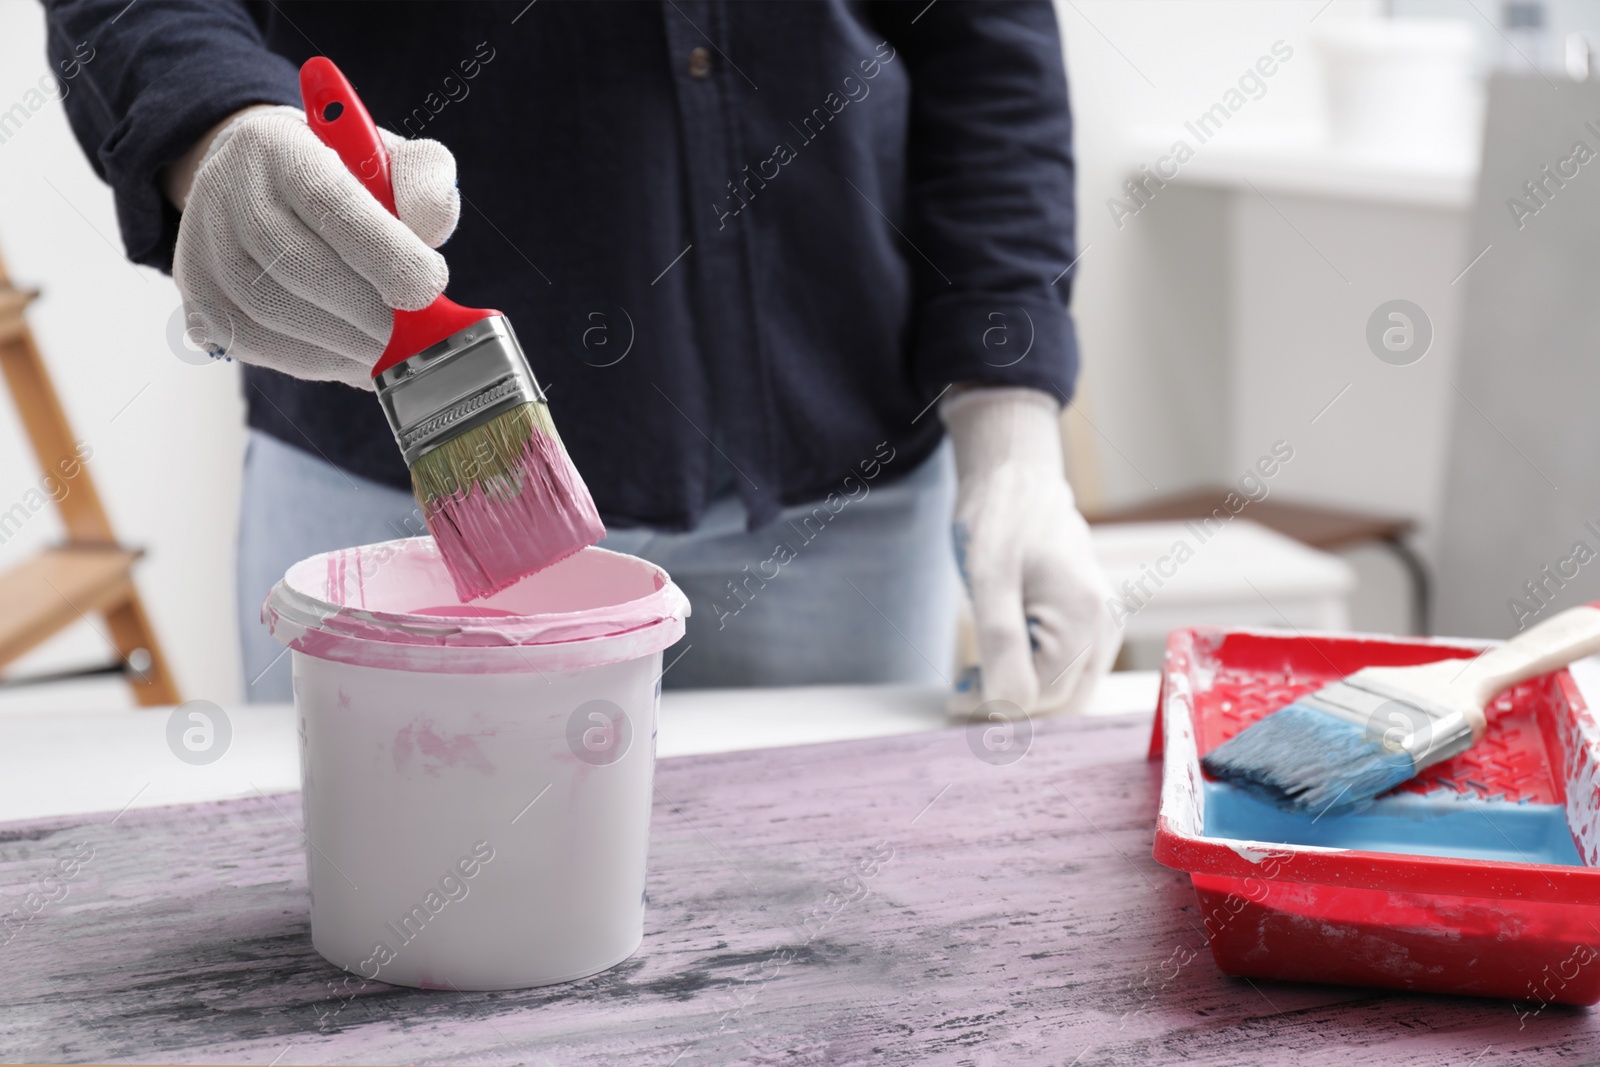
column 1310, row 761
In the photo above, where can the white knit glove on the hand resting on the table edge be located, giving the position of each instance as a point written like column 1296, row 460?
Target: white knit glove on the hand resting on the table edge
column 1046, row 634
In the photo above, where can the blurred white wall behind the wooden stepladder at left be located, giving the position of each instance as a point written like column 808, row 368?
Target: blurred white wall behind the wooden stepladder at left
column 167, row 436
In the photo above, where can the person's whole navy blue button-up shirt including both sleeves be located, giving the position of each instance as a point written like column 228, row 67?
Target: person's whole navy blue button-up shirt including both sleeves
column 783, row 228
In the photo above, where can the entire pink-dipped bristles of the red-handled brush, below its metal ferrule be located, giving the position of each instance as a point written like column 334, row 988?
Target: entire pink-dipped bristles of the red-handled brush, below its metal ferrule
column 503, row 502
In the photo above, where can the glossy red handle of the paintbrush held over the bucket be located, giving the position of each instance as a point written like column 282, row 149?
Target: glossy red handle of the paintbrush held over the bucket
column 340, row 121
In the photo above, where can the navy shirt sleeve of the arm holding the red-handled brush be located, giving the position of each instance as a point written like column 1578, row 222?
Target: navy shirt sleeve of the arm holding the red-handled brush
column 145, row 81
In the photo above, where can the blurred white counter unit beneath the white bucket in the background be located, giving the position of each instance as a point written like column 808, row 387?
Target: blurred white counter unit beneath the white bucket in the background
column 1268, row 255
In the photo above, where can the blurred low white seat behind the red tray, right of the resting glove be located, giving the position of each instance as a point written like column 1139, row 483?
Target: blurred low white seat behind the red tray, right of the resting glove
column 1236, row 573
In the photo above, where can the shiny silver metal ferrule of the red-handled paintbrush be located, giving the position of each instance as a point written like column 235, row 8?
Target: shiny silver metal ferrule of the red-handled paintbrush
column 450, row 388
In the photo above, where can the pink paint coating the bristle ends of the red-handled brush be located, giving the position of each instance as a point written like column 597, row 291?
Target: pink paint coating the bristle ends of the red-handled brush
column 538, row 514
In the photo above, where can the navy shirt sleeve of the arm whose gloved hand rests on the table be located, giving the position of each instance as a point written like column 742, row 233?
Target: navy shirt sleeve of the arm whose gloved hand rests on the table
column 990, row 193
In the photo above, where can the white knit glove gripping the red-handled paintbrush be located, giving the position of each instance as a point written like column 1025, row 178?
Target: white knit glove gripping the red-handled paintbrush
column 286, row 262
